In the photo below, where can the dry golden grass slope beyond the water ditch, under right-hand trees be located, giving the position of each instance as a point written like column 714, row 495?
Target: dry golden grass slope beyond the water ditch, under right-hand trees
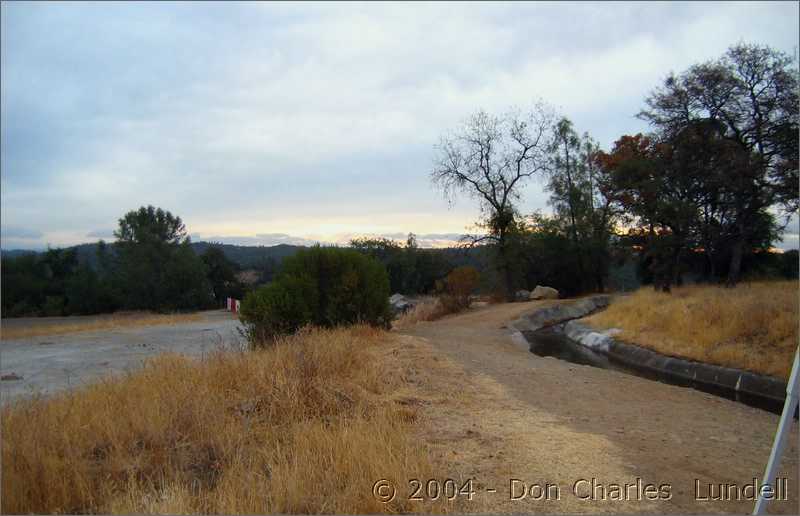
column 752, row 327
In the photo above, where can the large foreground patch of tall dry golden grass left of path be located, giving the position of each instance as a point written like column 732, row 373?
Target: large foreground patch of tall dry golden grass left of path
column 304, row 426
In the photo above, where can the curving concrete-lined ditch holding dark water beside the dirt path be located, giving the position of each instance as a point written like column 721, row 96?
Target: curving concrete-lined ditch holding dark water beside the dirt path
column 555, row 331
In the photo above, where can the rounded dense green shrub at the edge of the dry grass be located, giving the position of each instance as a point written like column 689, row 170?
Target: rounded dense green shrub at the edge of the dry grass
column 322, row 286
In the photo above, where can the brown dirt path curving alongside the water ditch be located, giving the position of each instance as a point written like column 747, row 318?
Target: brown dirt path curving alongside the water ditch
column 492, row 411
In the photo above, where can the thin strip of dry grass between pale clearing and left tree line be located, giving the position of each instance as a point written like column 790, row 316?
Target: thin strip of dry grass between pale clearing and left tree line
column 108, row 322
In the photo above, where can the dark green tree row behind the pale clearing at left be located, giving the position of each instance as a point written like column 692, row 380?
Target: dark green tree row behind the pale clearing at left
column 151, row 266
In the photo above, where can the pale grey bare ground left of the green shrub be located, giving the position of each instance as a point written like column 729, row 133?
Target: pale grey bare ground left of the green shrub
column 44, row 364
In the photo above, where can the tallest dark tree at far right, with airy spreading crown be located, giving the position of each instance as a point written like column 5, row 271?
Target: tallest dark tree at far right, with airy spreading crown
column 731, row 126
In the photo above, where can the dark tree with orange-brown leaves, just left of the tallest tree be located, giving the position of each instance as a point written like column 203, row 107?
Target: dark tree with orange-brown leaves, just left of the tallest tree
column 675, row 190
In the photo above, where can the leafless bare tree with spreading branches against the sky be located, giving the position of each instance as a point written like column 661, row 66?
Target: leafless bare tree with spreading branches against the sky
column 489, row 158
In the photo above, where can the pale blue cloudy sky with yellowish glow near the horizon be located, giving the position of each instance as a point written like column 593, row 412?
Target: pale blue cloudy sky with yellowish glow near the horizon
column 267, row 123
